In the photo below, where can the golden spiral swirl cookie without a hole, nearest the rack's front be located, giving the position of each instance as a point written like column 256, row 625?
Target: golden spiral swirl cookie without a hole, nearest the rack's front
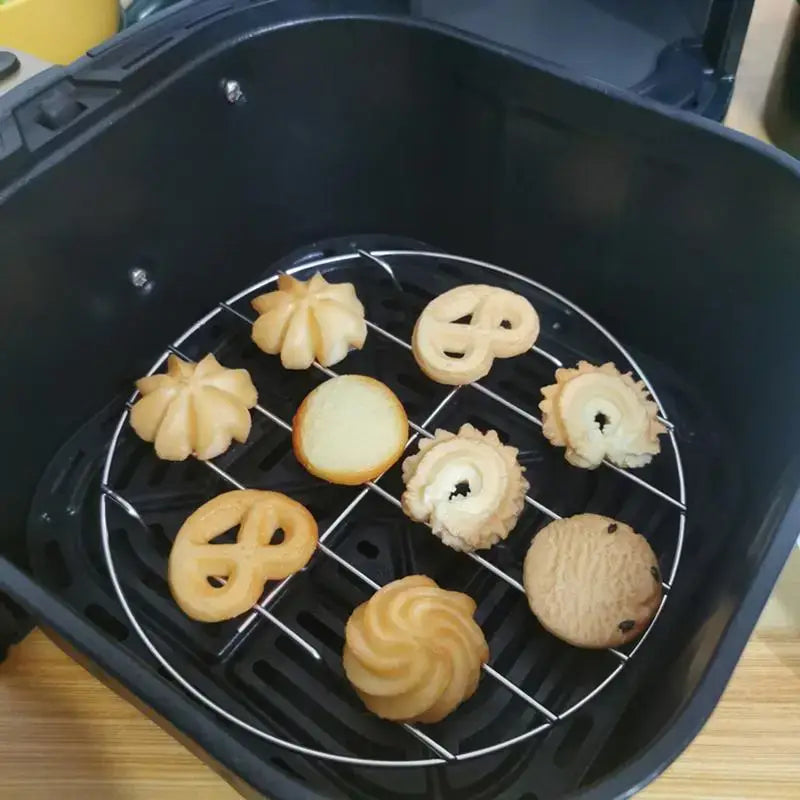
column 413, row 652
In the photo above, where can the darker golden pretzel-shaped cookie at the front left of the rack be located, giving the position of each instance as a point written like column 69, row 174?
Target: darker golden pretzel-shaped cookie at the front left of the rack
column 246, row 565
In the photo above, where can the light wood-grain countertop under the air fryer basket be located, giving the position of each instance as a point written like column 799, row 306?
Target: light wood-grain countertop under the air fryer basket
column 65, row 735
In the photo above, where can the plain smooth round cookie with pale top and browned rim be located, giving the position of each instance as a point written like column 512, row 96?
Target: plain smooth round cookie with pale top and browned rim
column 349, row 430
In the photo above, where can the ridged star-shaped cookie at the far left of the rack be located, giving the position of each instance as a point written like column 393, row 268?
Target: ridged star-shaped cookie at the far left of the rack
column 194, row 408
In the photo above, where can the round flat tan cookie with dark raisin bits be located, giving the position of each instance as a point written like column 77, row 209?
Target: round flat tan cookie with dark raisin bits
column 592, row 581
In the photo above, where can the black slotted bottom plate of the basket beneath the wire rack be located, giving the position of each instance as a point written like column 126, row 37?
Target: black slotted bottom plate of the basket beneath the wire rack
column 262, row 677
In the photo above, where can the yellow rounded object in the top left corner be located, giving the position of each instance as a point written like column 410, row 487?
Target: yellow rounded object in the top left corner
column 57, row 31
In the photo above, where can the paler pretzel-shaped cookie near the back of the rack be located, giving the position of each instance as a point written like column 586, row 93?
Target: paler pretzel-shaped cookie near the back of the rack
column 502, row 324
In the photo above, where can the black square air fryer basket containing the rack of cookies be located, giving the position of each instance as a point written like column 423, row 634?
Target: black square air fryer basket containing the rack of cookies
column 200, row 157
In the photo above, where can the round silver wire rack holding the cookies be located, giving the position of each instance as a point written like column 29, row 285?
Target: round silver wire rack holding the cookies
column 382, row 260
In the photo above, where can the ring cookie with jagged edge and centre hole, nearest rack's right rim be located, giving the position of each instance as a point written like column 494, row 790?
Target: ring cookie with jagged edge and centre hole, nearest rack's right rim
column 600, row 413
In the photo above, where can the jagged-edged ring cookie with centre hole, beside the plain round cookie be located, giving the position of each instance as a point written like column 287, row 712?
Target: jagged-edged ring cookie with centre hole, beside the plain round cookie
column 468, row 487
